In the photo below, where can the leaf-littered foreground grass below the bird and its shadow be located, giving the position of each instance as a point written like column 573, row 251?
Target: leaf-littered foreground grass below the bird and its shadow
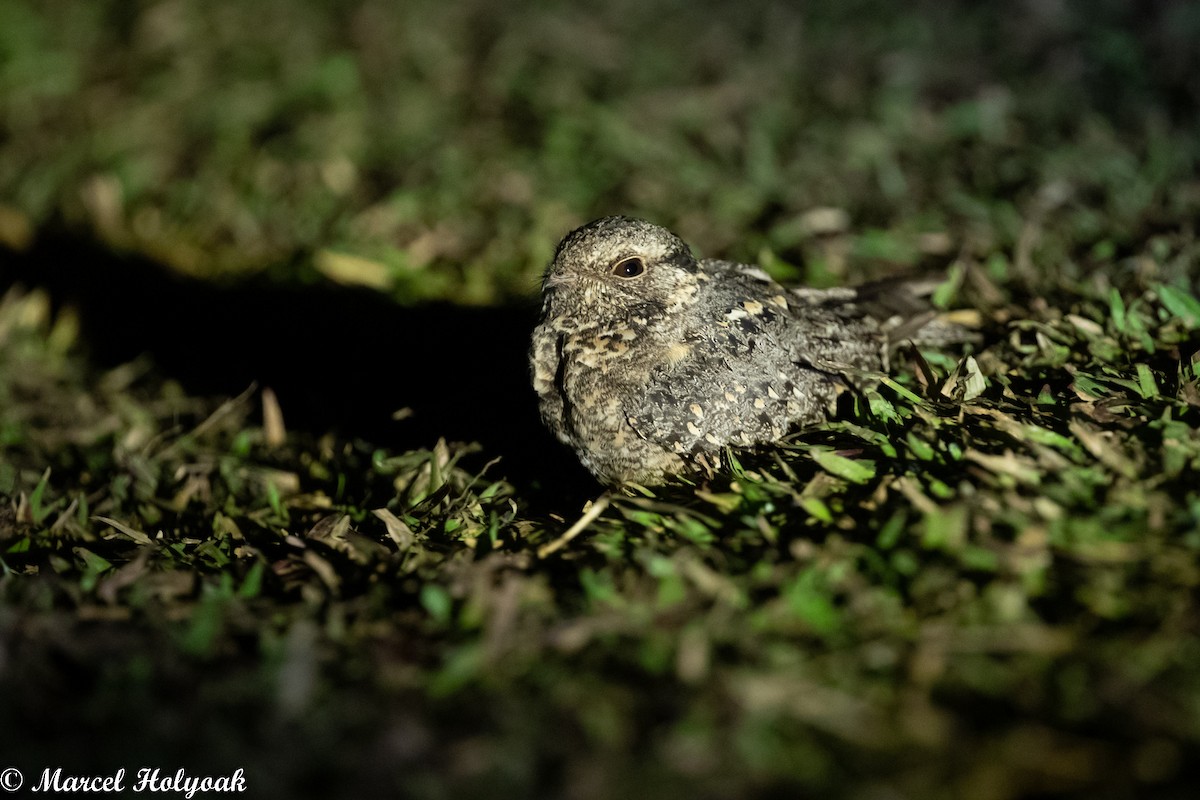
column 982, row 581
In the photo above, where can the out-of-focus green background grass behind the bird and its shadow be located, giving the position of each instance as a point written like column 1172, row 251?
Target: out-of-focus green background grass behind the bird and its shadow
column 440, row 151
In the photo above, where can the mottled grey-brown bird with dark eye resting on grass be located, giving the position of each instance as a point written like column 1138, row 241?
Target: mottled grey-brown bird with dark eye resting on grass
column 650, row 363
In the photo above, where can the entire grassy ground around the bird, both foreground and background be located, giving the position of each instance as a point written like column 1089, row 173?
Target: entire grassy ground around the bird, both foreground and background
column 980, row 581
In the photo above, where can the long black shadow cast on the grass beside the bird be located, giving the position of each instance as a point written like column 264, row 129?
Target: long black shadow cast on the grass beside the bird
column 339, row 359
